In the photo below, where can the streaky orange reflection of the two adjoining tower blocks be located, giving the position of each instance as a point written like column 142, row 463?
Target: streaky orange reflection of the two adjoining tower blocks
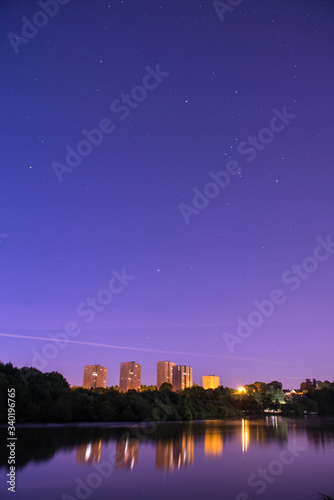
column 175, row 452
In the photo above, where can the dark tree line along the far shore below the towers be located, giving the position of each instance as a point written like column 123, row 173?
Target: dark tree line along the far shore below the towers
column 47, row 397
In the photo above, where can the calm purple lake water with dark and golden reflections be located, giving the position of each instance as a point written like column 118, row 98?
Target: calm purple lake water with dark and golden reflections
column 273, row 459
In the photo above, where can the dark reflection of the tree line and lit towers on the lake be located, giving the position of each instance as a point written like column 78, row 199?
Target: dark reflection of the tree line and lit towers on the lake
column 174, row 444
